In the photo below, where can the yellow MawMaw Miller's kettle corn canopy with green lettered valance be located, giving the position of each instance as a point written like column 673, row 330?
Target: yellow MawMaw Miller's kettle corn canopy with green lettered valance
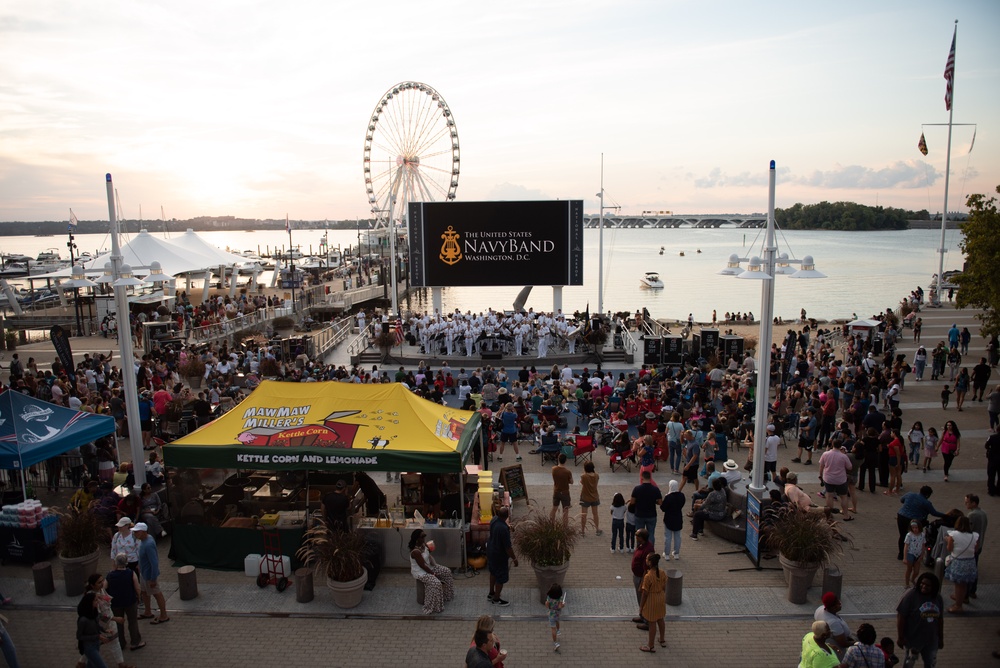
column 332, row 426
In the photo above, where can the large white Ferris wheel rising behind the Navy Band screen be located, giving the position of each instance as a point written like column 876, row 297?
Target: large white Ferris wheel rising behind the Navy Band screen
column 411, row 151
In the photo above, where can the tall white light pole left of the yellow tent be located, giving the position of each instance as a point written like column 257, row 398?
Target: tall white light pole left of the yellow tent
column 122, row 275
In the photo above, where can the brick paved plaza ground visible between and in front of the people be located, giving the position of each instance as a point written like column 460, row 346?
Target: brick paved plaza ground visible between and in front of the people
column 740, row 618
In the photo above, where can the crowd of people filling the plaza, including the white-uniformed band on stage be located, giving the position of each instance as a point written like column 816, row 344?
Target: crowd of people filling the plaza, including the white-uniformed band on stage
column 844, row 406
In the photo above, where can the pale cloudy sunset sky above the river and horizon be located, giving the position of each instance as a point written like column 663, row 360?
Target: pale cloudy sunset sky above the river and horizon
column 255, row 109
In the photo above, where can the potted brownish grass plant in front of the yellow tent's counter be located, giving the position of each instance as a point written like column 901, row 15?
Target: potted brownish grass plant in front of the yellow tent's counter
column 340, row 555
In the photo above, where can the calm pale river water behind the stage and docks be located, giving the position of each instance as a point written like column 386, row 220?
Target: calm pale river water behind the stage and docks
column 867, row 271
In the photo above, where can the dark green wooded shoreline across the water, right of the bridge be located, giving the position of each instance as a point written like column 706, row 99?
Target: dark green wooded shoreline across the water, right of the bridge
column 845, row 216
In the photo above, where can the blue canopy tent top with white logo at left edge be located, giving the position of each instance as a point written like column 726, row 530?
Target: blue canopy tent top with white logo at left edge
column 32, row 430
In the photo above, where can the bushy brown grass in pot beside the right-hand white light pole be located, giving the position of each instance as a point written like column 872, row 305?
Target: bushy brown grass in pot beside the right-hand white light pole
column 805, row 541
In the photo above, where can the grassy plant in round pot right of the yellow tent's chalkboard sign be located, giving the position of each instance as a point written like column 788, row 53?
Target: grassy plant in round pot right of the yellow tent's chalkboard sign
column 547, row 544
